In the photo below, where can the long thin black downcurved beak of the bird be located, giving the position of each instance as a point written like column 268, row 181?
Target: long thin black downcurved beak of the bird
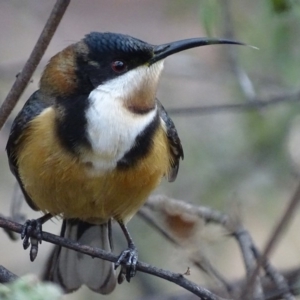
column 162, row 51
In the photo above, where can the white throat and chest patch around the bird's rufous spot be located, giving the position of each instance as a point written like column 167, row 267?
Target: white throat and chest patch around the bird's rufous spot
column 111, row 128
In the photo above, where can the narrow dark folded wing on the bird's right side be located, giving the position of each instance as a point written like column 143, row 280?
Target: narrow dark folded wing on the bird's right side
column 174, row 142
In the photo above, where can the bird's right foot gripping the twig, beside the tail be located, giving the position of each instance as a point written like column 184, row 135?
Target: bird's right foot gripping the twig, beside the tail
column 128, row 258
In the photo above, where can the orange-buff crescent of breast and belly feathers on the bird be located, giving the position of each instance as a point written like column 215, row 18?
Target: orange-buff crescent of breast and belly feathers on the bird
column 60, row 184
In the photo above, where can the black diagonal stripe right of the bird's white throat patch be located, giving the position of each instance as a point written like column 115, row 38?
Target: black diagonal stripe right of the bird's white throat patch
column 142, row 146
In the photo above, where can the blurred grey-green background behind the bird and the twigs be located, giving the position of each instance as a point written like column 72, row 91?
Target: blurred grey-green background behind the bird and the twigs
column 243, row 162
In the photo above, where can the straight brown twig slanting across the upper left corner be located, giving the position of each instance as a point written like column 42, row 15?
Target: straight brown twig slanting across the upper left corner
column 34, row 59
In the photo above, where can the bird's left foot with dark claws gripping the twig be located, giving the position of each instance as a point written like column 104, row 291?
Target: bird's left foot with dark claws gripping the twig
column 29, row 227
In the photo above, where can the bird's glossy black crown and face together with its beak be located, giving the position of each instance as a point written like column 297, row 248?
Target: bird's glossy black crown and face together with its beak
column 111, row 55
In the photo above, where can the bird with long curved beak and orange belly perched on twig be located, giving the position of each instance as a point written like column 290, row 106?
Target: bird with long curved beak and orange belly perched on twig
column 90, row 145
